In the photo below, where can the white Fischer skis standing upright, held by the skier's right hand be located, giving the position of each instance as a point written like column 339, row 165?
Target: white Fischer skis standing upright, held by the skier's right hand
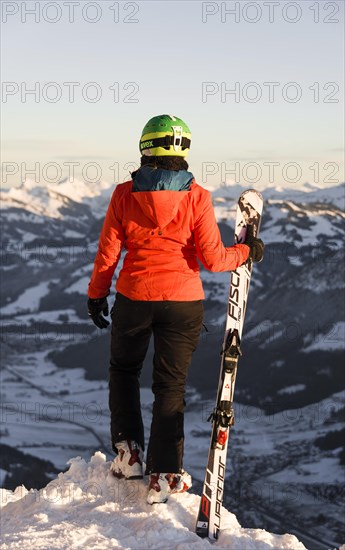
column 248, row 218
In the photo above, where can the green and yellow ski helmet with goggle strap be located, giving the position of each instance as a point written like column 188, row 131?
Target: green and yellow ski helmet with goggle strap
column 165, row 135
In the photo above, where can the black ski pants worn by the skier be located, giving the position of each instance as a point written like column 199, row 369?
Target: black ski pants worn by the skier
column 176, row 328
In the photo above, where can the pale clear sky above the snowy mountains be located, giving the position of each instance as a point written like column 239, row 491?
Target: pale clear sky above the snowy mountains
column 282, row 60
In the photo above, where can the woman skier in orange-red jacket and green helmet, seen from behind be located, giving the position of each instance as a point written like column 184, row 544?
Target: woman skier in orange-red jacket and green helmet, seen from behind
column 165, row 221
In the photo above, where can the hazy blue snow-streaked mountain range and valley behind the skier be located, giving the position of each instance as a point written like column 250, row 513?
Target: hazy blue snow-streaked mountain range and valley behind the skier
column 293, row 341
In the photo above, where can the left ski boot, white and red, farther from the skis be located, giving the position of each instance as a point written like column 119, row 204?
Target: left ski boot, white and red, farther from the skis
column 129, row 461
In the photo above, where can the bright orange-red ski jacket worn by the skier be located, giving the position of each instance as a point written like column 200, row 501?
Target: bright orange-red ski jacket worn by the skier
column 165, row 233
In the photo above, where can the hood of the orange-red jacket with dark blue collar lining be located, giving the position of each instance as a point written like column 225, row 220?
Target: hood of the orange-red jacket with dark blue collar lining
column 160, row 192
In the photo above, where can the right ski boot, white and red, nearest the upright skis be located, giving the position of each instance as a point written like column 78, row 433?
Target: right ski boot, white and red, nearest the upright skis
column 161, row 486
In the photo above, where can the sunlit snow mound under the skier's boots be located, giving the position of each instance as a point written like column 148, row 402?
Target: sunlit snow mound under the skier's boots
column 86, row 507
